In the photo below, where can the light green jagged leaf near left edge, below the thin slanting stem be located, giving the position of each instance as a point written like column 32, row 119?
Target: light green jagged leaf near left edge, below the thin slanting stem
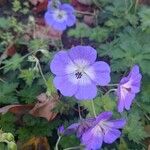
column 13, row 63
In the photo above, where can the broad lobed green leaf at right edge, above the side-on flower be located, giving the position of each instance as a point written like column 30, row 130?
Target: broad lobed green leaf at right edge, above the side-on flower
column 131, row 47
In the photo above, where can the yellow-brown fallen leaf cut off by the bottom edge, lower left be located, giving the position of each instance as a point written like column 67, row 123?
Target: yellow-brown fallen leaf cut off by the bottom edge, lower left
column 36, row 143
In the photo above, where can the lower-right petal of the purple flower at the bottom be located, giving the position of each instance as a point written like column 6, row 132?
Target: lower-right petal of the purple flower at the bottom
column 111, row 135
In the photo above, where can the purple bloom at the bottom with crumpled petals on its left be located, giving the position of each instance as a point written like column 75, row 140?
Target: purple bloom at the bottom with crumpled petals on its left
column 95, row 131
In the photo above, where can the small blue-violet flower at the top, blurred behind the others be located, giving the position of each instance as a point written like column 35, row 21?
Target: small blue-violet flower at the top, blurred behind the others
column 60, row 17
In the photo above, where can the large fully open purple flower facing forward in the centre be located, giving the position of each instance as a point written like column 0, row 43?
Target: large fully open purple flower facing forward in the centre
column 77, row 73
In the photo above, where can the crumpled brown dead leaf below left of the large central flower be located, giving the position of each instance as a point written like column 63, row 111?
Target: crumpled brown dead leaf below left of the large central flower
column 44, row 106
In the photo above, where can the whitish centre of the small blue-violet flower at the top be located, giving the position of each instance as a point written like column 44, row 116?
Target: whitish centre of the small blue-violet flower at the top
column 59, row 15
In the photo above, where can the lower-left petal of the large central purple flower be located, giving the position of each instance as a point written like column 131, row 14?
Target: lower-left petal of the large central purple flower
column 66, row 87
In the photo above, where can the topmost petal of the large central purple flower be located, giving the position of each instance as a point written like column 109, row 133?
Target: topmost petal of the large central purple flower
column 85, row 53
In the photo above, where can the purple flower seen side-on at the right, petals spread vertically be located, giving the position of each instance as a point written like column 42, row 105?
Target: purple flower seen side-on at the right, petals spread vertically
column 127, row 89
